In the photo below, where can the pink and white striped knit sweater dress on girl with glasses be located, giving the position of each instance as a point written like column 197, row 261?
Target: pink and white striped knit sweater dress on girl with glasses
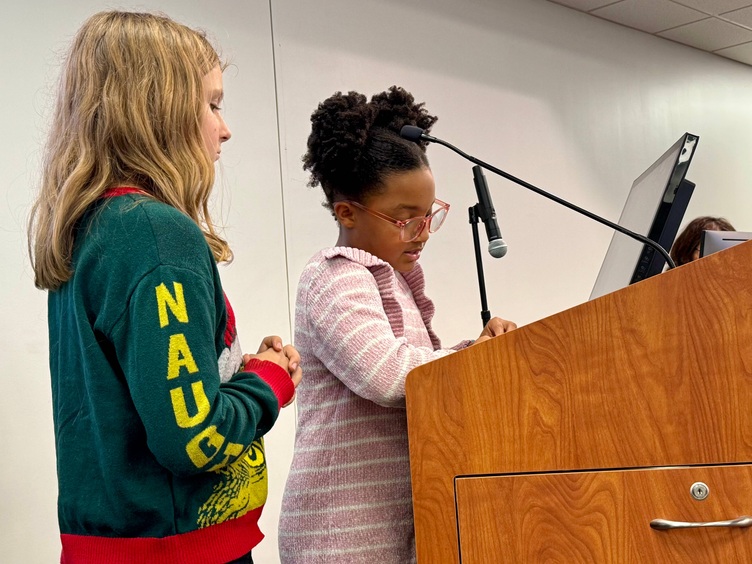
column 360, row 328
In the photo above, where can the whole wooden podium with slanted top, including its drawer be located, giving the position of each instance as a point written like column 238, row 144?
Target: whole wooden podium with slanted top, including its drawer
column 563, row 440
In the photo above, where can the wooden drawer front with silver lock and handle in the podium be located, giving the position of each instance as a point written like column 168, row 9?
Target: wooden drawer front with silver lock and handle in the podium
column 603, row 516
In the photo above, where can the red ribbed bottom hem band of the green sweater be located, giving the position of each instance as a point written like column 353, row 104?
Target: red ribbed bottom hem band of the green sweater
column 211, row 545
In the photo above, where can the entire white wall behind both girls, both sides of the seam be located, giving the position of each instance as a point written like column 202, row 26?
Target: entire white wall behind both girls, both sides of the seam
column 576, row 105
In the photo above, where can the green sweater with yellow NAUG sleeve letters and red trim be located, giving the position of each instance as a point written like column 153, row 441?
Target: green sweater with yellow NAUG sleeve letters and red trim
column 157, row 425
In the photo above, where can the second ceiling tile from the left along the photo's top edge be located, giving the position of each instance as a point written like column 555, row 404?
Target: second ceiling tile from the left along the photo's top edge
column 649, row 15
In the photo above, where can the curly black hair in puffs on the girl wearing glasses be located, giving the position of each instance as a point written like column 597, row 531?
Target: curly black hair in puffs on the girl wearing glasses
column 355, row 144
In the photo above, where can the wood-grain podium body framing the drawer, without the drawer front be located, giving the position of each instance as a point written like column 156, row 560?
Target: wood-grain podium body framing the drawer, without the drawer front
column 657, row 374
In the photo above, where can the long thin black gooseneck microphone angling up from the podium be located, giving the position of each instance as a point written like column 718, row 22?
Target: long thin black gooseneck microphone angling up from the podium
column 415, row 133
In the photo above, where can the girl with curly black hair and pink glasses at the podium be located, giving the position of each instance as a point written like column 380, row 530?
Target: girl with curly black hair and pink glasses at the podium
column 362, row 323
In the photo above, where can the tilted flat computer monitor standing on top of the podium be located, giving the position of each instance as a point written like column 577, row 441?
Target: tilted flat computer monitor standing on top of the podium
column 654, row 208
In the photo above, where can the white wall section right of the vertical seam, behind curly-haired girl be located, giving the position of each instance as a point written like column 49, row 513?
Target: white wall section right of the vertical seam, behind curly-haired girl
column 573, row 104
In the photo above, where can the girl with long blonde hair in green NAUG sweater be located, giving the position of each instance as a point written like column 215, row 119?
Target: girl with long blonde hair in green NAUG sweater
column 158, row 415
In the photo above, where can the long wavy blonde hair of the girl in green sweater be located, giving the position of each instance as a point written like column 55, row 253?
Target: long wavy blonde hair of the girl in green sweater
column 128, row 111
